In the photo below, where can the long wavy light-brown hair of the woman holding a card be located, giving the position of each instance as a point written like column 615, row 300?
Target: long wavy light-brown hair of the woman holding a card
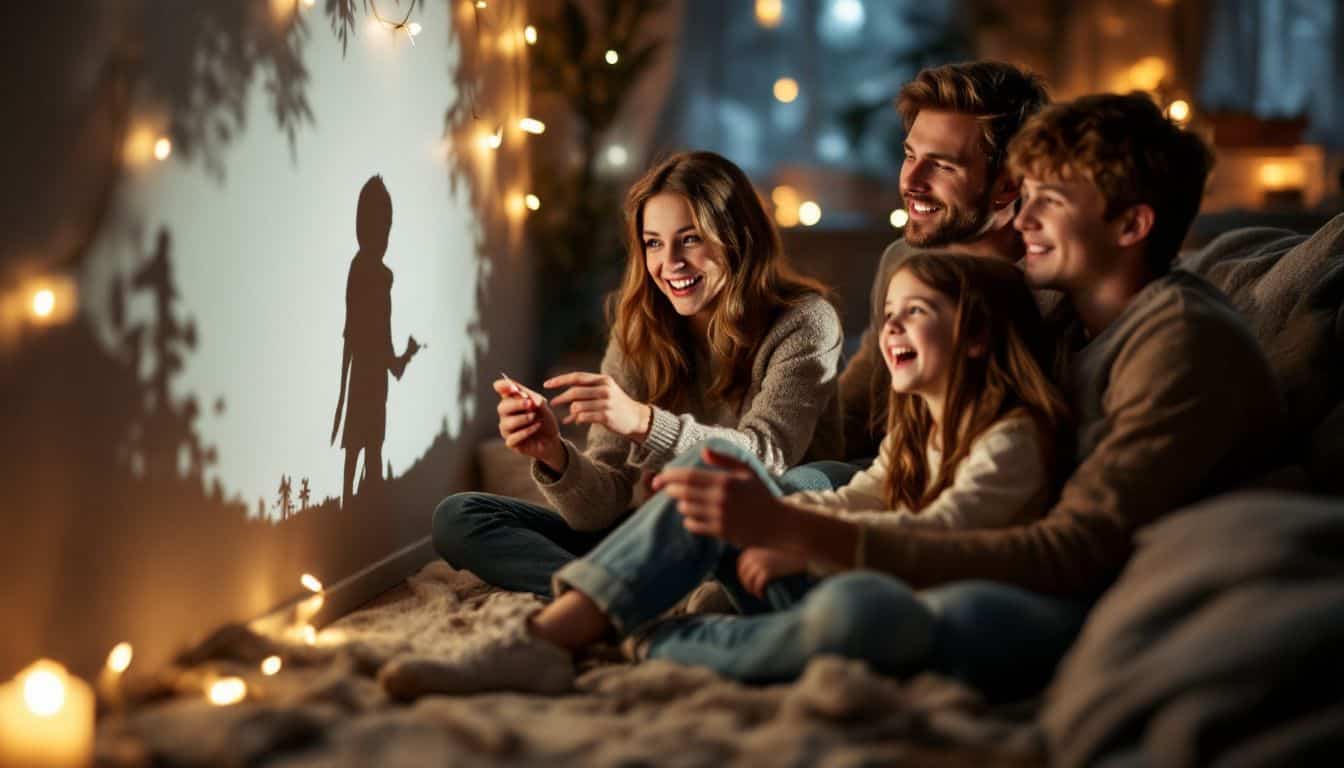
column 761, row 284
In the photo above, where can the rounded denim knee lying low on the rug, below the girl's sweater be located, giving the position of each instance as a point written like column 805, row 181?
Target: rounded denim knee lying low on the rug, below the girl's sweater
column 870, row 617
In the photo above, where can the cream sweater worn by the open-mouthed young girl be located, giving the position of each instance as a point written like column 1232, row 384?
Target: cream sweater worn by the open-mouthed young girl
column 1002, row 482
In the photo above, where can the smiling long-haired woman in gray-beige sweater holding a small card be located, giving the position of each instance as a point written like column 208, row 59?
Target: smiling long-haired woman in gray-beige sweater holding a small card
column 713, row 337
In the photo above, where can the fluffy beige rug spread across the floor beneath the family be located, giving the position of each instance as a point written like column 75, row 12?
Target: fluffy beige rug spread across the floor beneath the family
column 326, row 709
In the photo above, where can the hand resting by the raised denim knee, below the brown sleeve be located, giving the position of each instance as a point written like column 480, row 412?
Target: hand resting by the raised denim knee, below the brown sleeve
column 729, row 502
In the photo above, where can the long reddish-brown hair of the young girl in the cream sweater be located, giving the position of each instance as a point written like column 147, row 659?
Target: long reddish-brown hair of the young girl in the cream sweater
column 997, row 311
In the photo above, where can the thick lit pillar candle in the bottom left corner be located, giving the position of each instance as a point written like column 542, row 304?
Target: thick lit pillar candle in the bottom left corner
column 46, row 719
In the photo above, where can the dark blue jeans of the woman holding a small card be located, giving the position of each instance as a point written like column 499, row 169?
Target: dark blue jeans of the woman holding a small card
column 519, row 547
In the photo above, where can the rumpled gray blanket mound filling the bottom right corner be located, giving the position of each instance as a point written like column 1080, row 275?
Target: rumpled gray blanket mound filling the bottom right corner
column 1220, row 646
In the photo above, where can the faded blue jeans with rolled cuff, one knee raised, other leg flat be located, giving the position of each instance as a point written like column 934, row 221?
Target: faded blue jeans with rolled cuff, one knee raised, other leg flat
column 998, row 638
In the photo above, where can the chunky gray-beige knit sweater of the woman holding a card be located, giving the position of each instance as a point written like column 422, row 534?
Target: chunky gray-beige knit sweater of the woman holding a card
column 792, row 406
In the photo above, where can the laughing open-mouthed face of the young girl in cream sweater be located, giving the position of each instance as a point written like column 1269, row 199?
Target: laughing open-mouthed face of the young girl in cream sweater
column 917, row 340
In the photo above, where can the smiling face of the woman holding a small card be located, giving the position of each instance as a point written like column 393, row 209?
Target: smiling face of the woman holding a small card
column 685, row 266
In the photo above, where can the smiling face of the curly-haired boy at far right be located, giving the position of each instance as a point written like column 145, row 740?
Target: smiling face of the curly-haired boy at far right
column 1070, row 245
